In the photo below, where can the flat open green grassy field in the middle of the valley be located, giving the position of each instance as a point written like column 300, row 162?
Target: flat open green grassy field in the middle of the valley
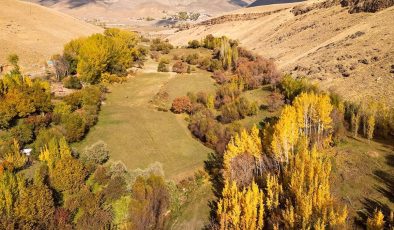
column 139, row 135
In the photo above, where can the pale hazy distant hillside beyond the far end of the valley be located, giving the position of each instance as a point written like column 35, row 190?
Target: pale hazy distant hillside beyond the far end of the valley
column 134, row 12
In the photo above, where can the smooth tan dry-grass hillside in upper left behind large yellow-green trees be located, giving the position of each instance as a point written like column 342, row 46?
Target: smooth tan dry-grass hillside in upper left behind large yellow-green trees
column 35, row 32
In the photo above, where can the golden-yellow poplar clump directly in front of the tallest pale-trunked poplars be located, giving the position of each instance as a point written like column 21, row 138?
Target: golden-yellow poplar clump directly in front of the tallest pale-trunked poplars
column 309, row 203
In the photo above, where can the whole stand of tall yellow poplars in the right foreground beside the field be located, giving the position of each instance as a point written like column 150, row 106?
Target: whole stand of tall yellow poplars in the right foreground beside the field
column 279, row 178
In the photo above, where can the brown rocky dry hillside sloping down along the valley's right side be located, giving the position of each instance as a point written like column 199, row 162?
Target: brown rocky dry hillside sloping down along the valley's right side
column 352, row 54
